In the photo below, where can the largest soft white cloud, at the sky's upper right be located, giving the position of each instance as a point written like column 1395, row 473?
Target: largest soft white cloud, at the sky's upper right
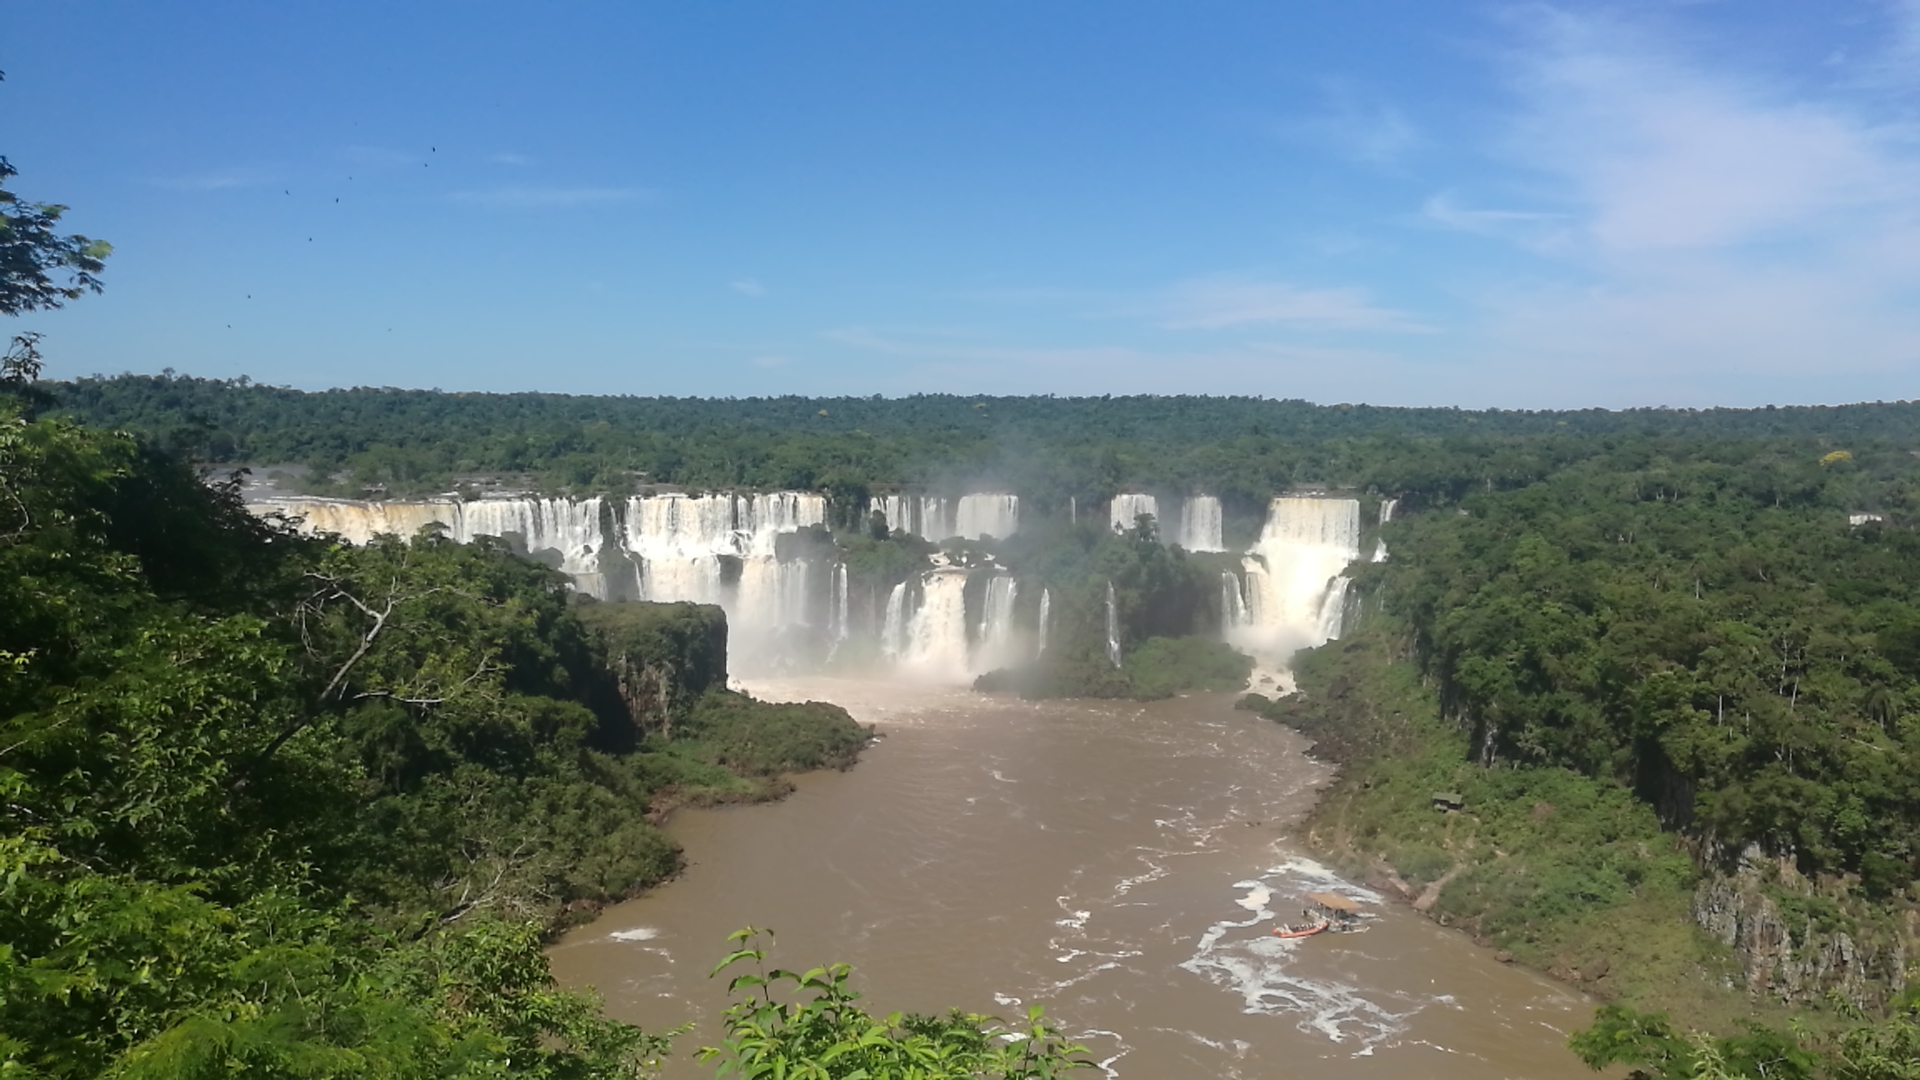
column 1668, row 155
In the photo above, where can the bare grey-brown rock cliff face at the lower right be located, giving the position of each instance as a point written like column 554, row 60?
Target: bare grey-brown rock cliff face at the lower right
column 1796, row 964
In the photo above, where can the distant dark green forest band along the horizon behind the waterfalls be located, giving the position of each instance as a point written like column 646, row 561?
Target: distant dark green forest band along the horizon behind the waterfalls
column 1045, row 449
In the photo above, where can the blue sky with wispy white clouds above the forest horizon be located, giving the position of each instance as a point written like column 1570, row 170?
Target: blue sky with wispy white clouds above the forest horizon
column 1362, row 201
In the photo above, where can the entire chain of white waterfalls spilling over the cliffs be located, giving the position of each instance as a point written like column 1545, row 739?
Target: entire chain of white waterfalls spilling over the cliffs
column 725, row 549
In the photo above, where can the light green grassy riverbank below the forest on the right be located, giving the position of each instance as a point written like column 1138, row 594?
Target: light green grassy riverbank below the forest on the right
column 1552, row 871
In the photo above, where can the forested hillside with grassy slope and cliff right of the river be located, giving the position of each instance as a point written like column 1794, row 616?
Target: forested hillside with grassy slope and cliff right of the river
column 1673, row 687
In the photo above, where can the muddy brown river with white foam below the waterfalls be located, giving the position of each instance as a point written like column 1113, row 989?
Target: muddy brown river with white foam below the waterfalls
column 1118, row 864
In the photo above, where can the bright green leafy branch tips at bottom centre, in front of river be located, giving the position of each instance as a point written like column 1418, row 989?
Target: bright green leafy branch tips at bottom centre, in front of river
column 817, row 1029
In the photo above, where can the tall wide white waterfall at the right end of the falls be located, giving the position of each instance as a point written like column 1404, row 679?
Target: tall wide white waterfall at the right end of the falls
column 1295, row 577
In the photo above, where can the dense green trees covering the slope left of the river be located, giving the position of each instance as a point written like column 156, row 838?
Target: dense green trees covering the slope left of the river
column 279, row 808
